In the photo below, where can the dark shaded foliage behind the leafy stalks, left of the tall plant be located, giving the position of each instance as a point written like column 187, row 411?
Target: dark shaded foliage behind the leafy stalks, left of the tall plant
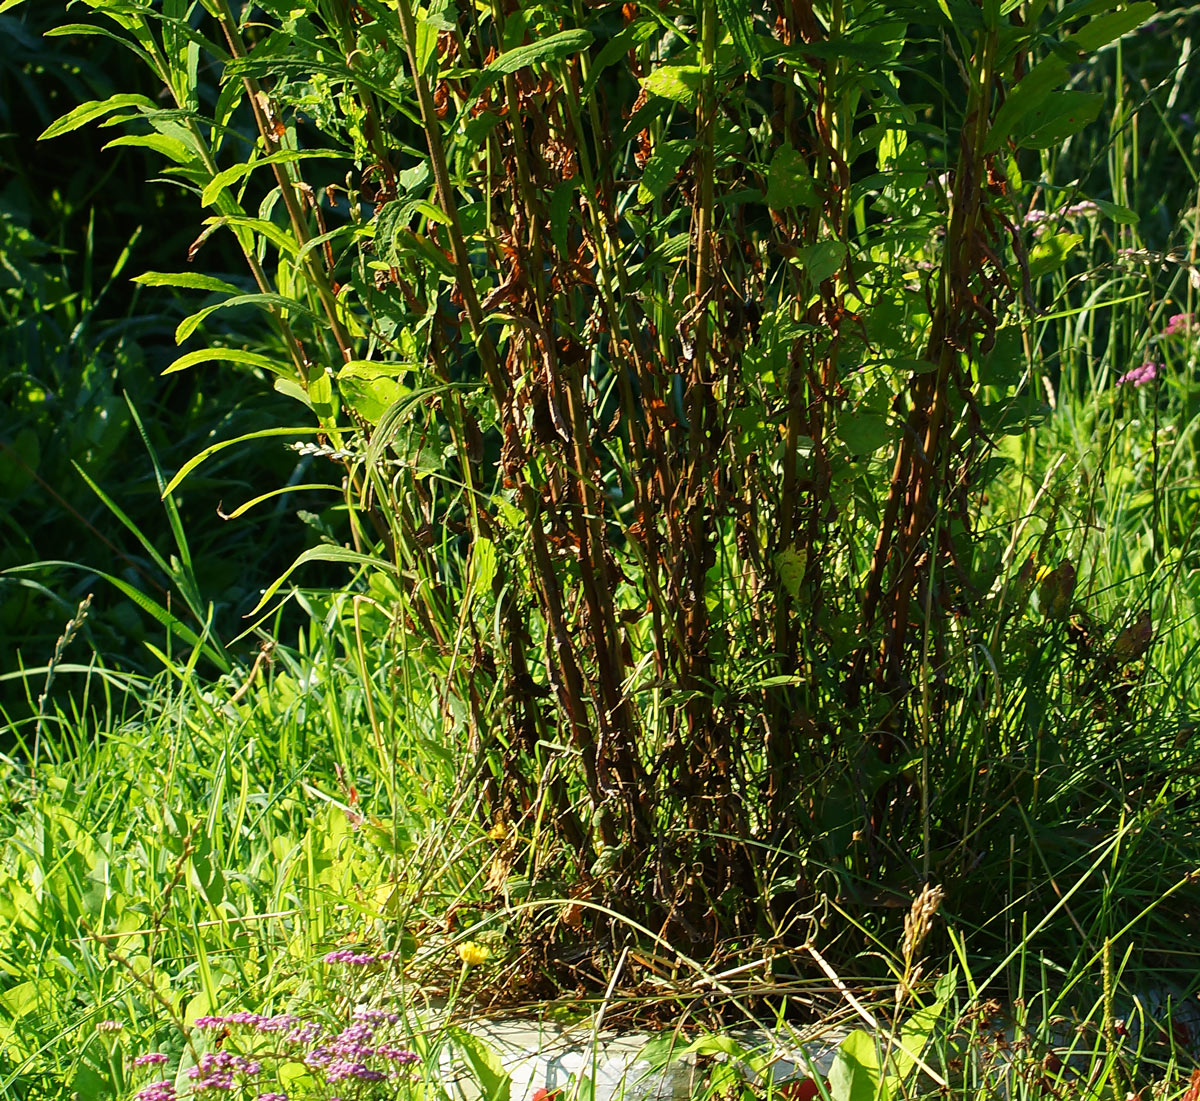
column 80, row 344
